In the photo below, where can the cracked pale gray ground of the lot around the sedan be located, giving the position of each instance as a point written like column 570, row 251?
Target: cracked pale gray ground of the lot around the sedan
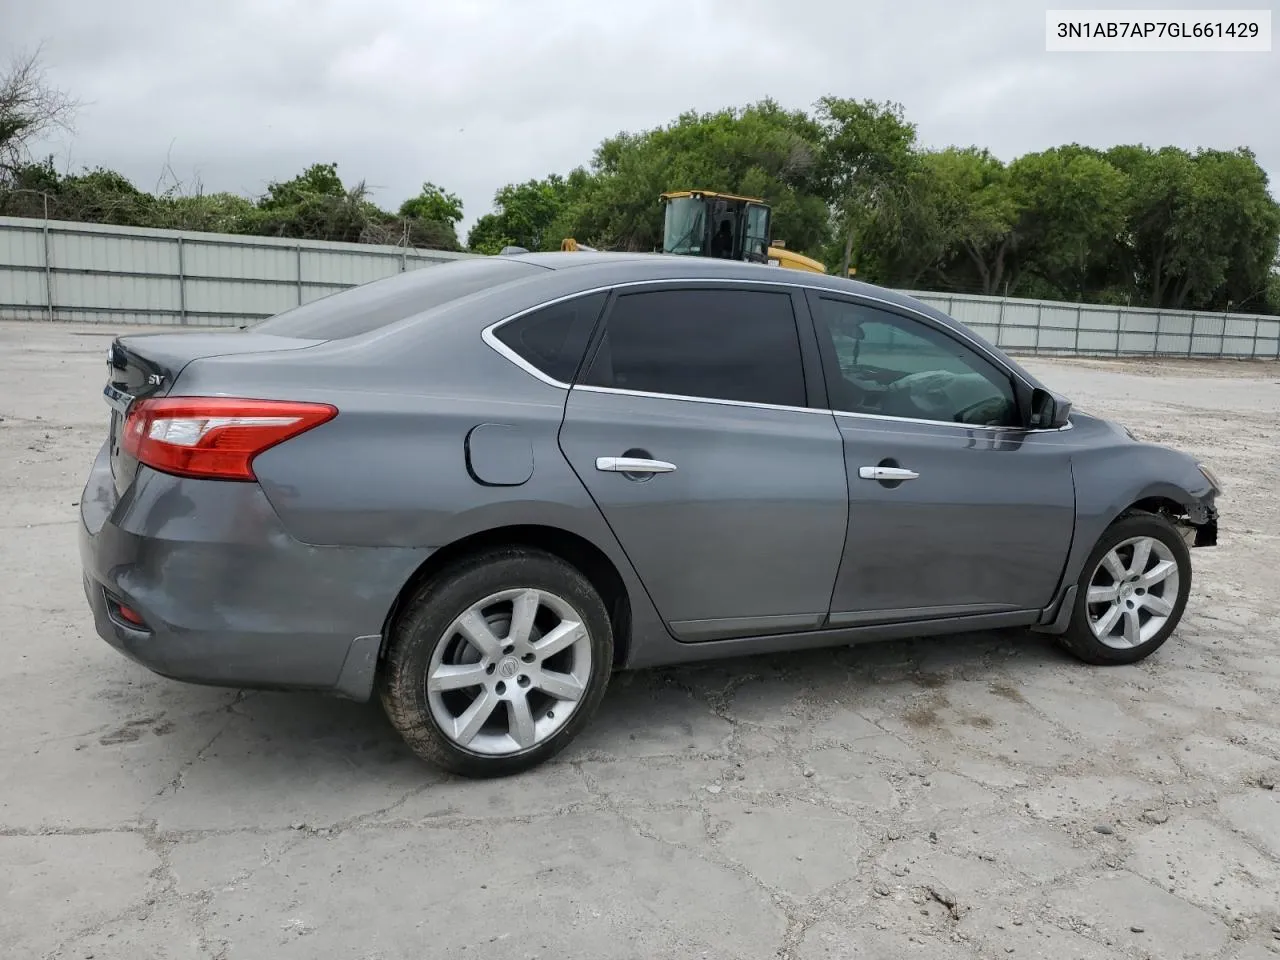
column 979, row 797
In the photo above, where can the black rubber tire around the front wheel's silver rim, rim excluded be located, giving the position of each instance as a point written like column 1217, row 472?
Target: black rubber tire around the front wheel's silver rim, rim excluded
column 1081, row 637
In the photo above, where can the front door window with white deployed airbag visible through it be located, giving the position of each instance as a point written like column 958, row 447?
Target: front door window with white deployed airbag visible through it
column 897, row 367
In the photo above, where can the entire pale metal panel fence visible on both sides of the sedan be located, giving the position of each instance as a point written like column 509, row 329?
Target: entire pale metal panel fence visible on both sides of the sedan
column 57, row 271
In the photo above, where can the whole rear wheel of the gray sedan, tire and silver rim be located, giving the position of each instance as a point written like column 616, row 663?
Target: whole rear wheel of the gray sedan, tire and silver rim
column 468, row 609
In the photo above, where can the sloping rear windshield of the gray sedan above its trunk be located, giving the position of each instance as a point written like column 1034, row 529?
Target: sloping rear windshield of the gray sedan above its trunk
column 373, row 305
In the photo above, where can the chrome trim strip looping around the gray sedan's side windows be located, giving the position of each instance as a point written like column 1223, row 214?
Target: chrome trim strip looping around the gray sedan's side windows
column 491, row 339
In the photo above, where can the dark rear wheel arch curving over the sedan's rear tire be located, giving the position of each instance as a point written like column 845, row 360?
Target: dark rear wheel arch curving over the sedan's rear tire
column 573, row 548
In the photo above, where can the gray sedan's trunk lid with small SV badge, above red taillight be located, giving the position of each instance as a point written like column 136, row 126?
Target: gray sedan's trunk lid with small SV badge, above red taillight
column 148, row 365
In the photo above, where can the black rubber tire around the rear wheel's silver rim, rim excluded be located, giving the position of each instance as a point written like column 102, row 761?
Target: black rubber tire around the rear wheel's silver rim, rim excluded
column 423, row 629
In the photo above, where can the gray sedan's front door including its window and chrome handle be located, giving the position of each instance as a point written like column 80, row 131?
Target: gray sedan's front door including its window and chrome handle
column 956, row 509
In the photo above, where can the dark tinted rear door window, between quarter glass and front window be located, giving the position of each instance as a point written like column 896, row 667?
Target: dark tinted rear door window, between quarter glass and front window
column 725, row 345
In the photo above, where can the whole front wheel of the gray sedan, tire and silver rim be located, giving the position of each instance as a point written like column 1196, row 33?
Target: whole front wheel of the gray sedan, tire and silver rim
column 1133, row 597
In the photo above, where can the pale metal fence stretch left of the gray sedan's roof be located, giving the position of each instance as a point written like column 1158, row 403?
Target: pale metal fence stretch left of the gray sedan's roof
column 57, row 271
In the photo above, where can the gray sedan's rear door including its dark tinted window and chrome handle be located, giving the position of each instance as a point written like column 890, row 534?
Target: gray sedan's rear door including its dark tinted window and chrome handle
column 693, row 432
